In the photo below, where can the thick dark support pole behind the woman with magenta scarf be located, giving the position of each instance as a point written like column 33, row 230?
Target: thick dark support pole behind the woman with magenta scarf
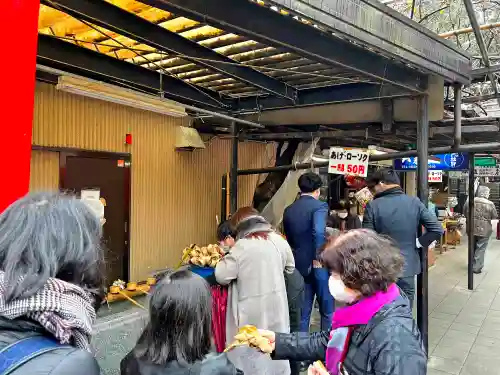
column 423, row 195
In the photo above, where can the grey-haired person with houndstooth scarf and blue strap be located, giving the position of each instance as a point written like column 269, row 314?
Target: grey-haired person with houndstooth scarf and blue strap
column 51, row 282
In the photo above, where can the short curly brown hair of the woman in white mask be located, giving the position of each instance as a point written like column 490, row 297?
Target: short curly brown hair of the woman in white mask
column 365, row 261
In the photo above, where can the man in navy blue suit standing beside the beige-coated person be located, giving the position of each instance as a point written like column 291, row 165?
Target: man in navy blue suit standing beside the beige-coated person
column 304, row 223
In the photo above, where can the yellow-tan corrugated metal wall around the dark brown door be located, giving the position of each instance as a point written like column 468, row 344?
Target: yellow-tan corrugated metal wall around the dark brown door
column 175, row 195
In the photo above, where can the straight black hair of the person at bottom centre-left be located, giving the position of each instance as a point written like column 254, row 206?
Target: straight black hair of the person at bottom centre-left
column 179, row 327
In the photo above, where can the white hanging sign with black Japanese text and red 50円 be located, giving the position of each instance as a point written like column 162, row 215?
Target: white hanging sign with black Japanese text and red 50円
column 348, row 161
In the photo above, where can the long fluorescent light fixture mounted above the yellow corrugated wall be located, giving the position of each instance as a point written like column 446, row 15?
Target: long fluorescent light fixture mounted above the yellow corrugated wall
column 119, row 95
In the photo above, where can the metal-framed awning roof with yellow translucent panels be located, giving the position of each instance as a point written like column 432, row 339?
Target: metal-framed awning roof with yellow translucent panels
column 242, row 56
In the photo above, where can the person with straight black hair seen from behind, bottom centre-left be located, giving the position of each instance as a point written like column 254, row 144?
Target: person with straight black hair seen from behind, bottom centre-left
column 177, row 339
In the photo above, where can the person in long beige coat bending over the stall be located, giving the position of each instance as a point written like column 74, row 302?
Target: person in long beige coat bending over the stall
column 254, row 270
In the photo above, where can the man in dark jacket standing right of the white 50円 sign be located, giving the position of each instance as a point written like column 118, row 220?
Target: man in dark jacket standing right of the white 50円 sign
column 400, row 217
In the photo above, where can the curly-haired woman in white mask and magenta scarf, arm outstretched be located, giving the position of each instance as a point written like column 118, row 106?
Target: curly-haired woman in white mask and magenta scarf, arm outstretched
column 375, row 332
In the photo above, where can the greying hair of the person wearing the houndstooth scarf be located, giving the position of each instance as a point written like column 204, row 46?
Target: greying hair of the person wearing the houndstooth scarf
column 46, row 235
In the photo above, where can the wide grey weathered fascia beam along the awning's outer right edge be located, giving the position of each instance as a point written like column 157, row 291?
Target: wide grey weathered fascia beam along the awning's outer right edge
column 405, row 40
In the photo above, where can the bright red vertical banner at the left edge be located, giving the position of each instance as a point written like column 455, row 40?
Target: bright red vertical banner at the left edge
column 19, row 23
